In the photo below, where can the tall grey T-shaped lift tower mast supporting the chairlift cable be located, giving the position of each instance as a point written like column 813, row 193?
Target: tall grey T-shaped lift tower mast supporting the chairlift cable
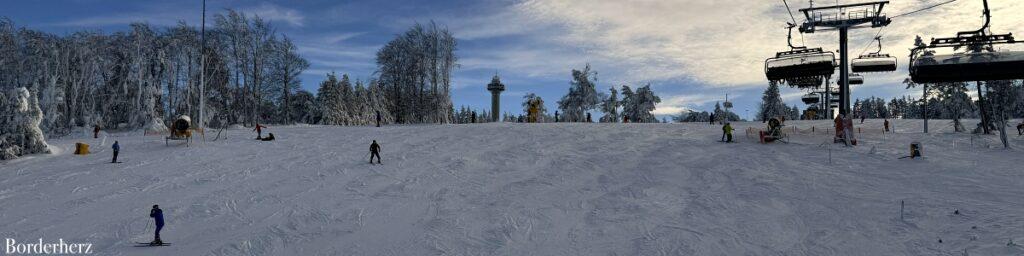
column 843, row 18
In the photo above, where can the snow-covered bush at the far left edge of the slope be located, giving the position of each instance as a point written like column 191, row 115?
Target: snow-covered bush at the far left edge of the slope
column 20, row 134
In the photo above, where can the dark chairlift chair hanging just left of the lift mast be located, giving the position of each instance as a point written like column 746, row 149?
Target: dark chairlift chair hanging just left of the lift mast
column 800, row 67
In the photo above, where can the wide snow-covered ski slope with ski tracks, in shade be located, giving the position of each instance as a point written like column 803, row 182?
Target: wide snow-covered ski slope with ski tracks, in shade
column 528, row 190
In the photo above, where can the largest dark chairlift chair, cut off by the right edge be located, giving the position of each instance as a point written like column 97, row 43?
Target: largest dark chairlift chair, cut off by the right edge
column 980, row 63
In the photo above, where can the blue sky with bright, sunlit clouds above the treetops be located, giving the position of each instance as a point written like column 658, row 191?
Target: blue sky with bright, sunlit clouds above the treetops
column 692, row 52
